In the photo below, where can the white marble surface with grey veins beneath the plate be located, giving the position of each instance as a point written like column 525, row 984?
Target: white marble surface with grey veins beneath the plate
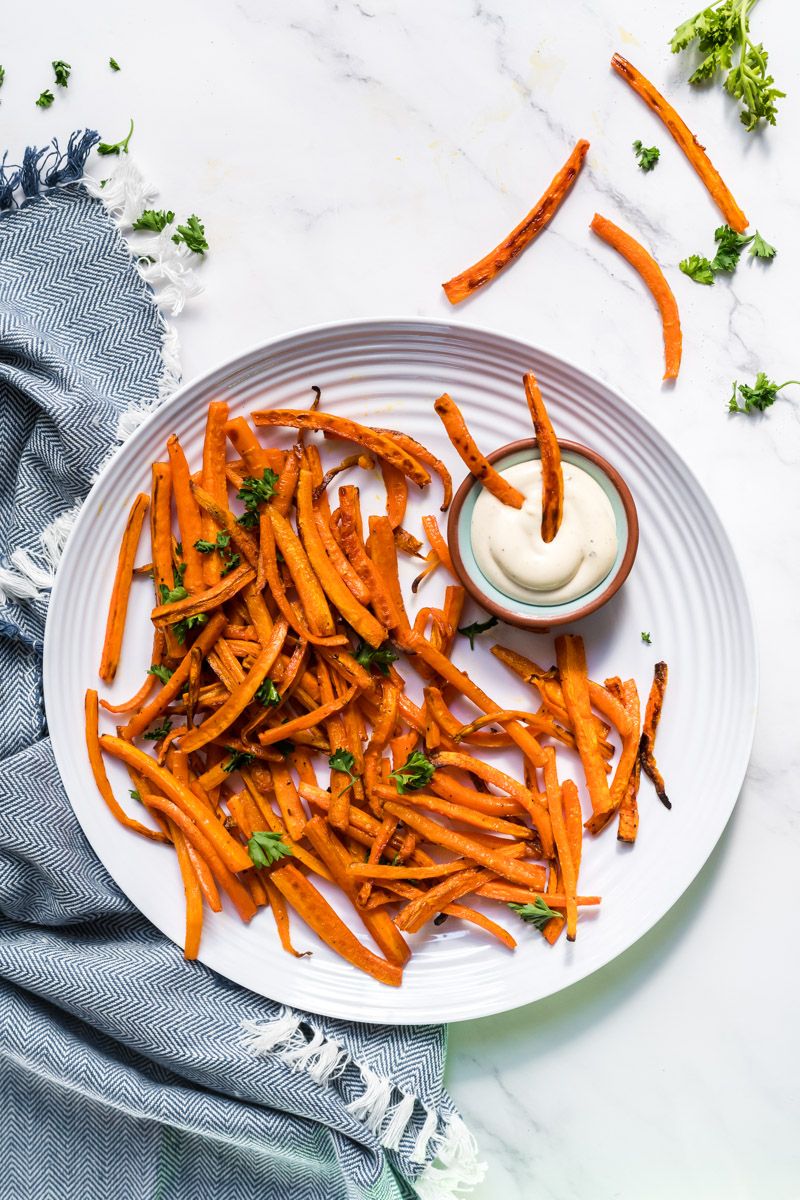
column 346, row 158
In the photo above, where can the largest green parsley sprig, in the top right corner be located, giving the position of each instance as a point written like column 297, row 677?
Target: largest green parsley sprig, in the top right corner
column 723, row 34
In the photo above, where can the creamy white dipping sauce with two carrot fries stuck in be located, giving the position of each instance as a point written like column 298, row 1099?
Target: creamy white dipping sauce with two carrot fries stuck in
column 508, row 543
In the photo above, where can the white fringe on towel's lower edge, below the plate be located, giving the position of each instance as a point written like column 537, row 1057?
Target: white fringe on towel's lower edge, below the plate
column 455, row 1168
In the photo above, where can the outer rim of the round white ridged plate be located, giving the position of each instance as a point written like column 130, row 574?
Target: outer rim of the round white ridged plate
column 432, row 325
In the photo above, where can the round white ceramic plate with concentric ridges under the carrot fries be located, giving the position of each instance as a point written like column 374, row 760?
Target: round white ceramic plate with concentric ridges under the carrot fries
column 389, row 373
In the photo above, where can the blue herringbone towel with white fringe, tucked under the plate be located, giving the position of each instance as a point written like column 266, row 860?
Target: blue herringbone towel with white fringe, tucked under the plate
column 127, row 1072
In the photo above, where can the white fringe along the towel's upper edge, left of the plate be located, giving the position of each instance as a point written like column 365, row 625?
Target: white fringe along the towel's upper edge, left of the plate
column 125, row 196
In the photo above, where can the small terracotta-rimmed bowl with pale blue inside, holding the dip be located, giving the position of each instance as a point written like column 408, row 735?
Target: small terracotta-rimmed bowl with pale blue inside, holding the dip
column 520, row 613
